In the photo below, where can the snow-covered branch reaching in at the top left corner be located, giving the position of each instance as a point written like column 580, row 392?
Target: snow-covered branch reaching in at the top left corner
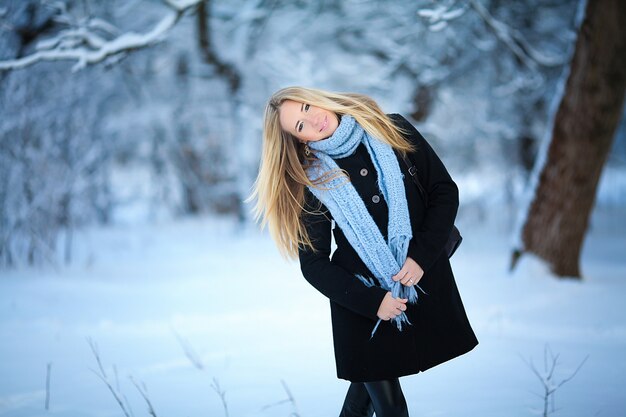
column 85, row 46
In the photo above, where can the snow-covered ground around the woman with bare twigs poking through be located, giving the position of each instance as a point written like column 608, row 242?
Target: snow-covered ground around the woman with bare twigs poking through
column 180, row 305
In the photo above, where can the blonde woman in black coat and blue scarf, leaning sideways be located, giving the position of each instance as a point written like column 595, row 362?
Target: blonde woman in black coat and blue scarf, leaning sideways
column 335, row 158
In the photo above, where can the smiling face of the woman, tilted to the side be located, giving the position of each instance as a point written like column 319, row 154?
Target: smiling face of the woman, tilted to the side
column 307, row 123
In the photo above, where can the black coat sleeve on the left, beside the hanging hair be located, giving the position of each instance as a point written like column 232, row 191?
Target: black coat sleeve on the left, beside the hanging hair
column 332, row 280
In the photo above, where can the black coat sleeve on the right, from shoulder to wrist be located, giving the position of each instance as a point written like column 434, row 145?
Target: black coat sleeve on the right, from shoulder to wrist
column 443, row 199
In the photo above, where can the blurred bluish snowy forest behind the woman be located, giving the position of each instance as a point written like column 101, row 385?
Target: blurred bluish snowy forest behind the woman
column 169, row 123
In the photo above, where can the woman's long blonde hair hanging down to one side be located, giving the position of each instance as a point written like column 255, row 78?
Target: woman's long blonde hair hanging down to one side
column 279, row 187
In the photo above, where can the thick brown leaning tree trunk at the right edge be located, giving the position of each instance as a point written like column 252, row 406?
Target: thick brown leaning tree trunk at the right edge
column 582, row 134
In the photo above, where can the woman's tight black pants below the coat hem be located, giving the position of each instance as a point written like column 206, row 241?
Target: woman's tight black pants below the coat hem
column 383, row 397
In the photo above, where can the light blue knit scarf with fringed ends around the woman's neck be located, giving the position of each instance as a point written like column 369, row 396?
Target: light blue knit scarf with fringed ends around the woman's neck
column 383, row 259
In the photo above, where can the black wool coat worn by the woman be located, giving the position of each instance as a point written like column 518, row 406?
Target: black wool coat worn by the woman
column 440, row 329
